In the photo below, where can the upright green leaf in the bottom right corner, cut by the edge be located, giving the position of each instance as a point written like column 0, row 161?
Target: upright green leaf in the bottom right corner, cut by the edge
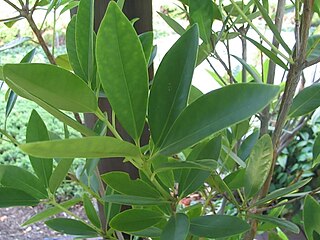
column 311, row 217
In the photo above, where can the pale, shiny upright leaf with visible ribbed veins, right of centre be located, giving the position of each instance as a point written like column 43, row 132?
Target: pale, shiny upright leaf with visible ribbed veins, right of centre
column 259, row 165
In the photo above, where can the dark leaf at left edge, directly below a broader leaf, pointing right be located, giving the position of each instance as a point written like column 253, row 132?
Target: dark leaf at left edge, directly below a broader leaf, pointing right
column 11, row 197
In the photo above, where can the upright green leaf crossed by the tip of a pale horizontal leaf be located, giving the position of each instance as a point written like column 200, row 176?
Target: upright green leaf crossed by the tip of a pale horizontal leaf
column 37, row 131
